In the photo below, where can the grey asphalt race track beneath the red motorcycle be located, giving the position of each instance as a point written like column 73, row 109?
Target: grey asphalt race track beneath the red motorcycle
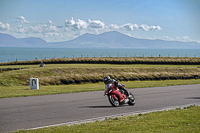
column 37, row 111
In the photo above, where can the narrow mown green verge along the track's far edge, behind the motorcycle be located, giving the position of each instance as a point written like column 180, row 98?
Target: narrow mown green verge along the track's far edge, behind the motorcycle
column 22, row 91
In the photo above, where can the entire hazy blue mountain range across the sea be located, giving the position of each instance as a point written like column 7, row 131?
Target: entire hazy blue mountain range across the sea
column 111, row 39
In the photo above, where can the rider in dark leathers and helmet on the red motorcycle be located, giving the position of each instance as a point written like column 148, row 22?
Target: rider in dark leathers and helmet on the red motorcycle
column 107, row 81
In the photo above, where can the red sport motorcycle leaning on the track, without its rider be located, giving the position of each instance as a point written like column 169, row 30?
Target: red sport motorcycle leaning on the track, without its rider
column 117, row 97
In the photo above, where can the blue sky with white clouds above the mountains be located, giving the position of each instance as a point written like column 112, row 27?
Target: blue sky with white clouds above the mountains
column 62, row 20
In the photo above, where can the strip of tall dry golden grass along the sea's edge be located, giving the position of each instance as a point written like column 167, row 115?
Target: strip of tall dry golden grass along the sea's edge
column 115, row 60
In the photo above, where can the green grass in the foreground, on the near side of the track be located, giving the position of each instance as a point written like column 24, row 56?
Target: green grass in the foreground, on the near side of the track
column 177, row 120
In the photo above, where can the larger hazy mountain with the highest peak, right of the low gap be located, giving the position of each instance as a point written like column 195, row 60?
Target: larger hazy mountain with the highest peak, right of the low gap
column 115, row 39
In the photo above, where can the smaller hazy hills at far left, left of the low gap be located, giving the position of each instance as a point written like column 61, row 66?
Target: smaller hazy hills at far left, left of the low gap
column 10, row 41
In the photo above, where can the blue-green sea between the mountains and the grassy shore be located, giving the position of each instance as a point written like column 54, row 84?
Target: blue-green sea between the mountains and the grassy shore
column 9, row 54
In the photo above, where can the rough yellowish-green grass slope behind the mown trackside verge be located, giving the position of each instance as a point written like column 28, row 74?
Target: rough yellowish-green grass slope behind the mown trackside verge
column 57, row 74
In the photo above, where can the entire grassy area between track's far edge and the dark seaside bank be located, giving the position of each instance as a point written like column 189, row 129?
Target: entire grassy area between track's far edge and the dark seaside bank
column 52, row 78
